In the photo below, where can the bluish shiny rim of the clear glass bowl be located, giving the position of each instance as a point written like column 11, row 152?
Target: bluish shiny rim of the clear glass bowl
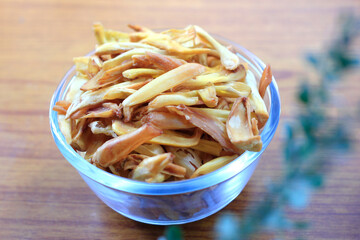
column 175, row 187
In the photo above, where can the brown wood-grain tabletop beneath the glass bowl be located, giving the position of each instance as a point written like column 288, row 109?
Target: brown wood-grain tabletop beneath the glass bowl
column 43, row 197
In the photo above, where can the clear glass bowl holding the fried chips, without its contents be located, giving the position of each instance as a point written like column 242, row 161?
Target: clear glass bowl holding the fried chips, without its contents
column 172, row 202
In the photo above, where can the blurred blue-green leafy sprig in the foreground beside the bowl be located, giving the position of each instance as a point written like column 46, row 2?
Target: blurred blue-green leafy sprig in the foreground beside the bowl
column 311, row 143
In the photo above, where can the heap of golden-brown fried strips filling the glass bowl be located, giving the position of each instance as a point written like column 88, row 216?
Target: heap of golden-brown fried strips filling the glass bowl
column 162, row 106
